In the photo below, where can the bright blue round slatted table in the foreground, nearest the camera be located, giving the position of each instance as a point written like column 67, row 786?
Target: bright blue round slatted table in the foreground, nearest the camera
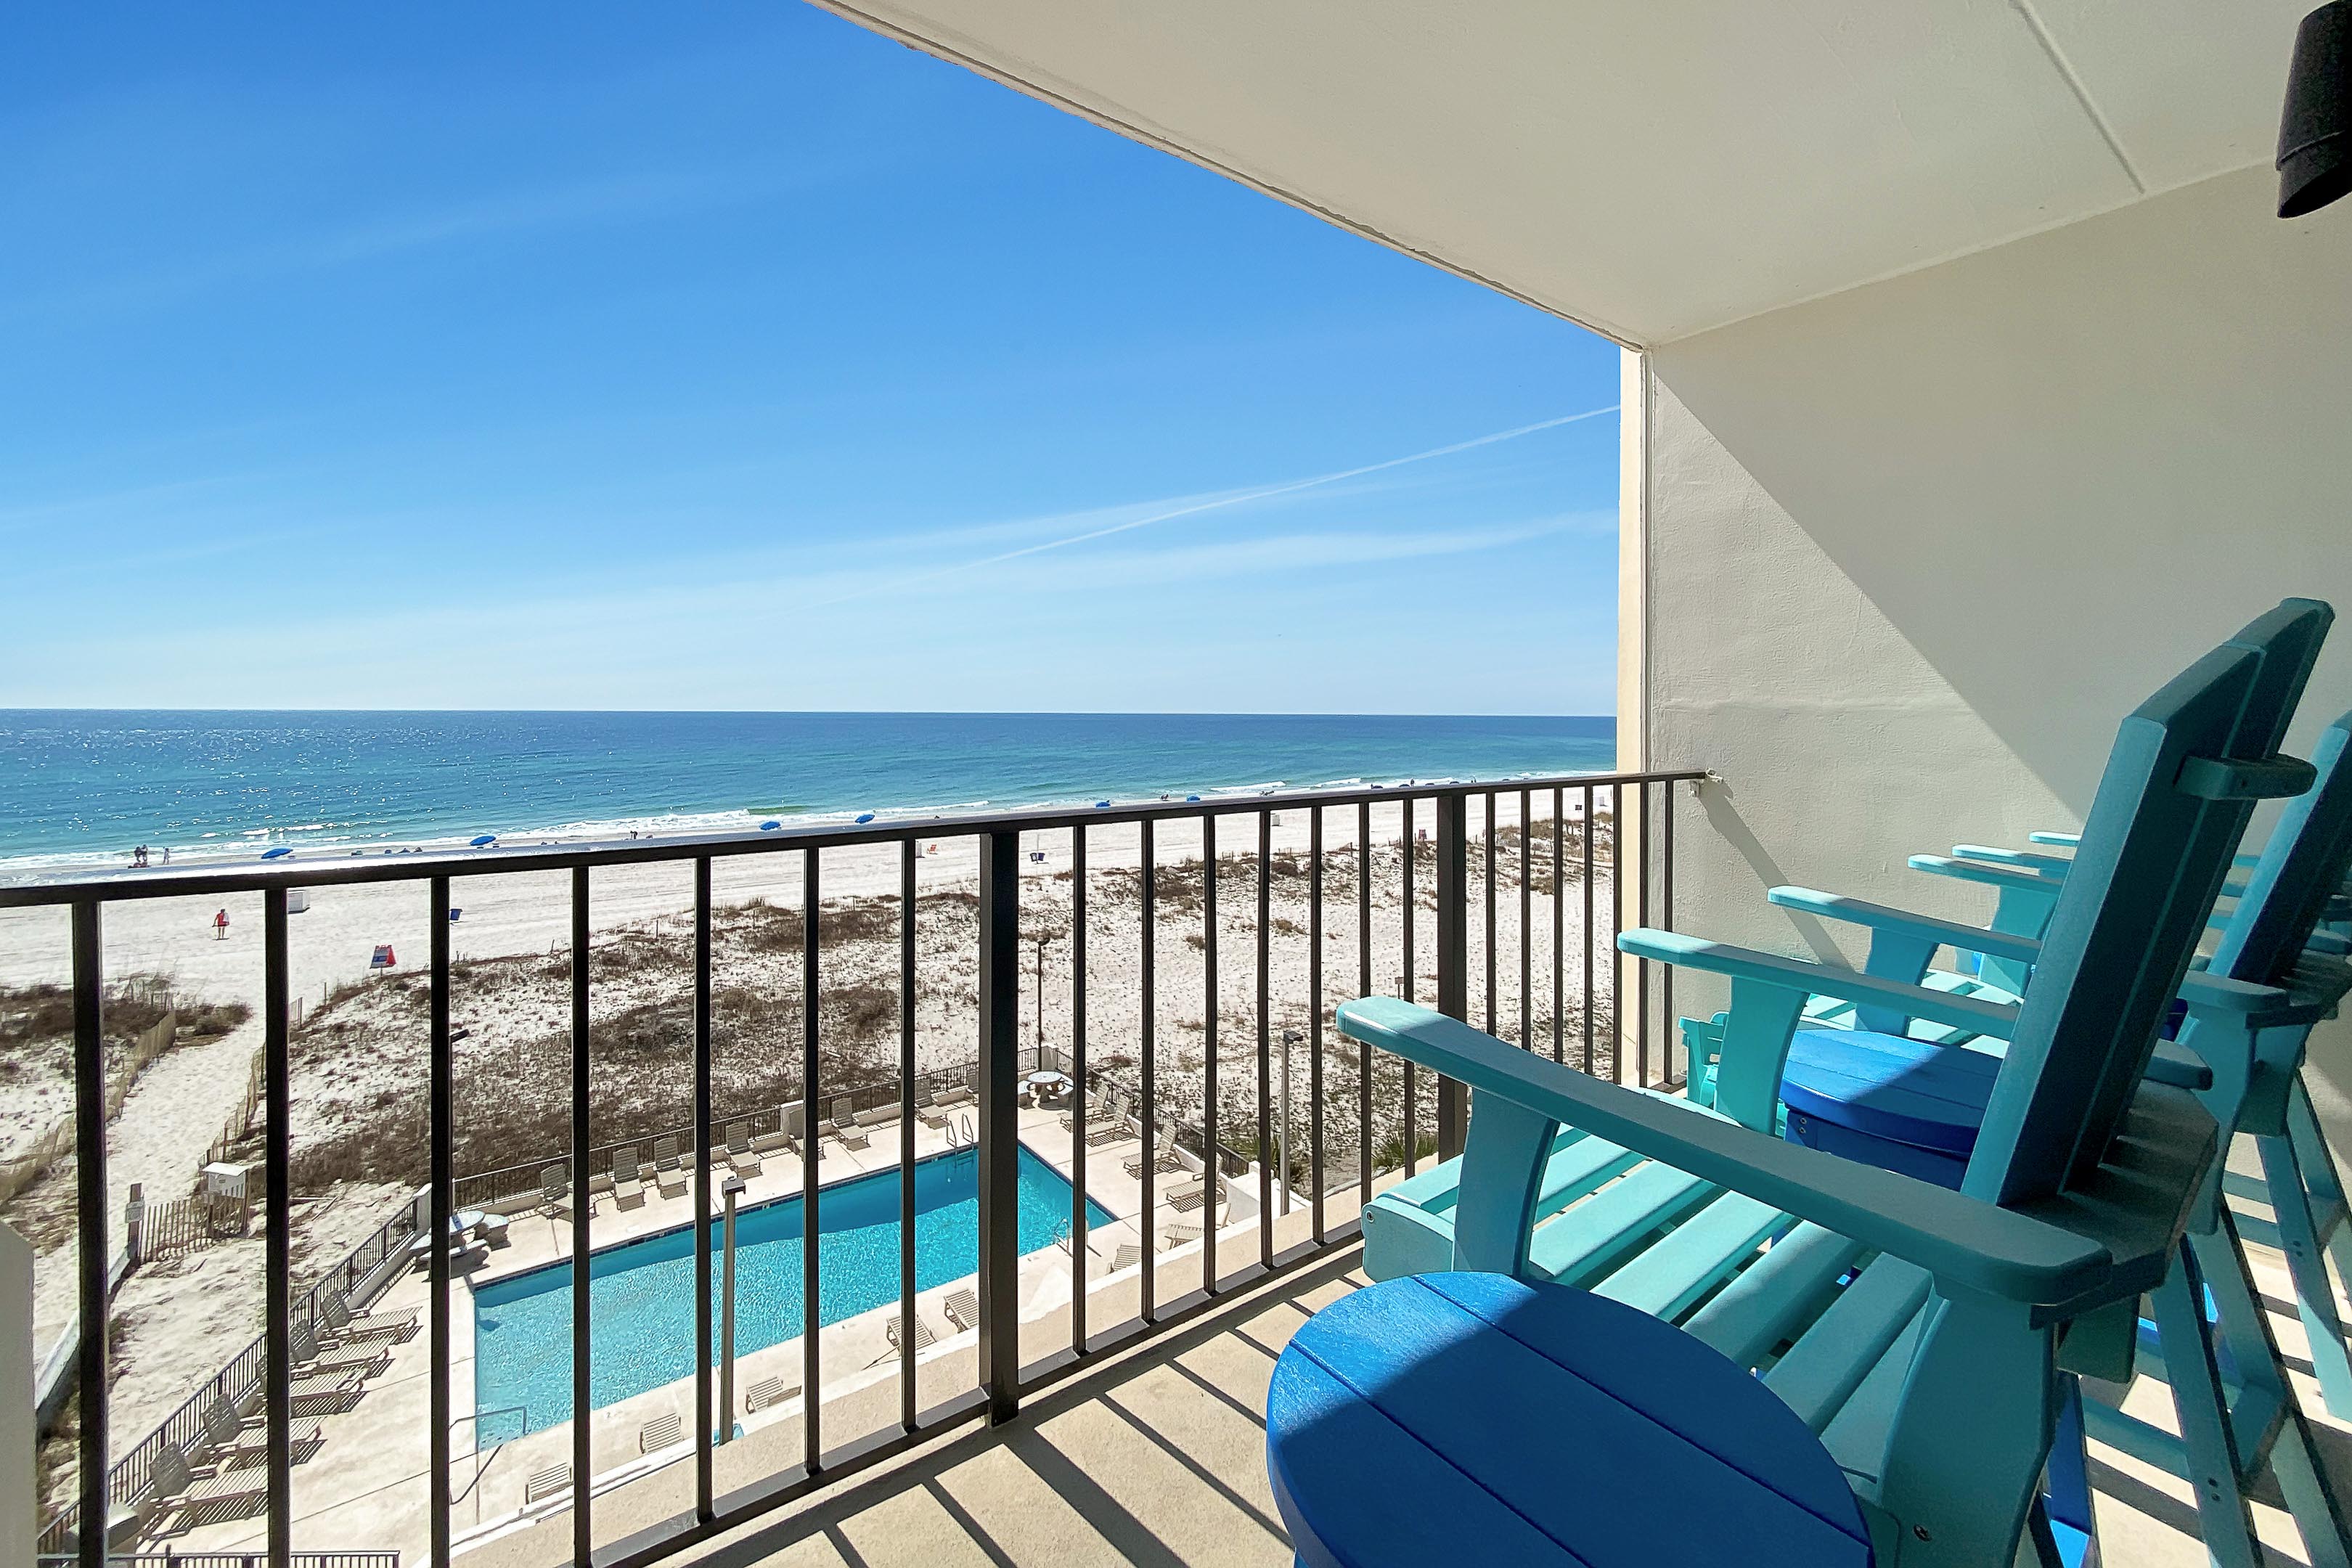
column 1471, row 1419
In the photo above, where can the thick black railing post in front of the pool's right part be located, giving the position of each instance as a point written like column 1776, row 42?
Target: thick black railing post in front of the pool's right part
column 1001, row 1127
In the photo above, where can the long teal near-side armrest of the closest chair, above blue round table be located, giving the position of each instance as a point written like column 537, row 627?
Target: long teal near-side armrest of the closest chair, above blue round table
column 1965, row 1242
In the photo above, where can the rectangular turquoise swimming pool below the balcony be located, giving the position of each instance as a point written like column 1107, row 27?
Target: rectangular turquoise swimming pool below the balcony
column 641, row 1294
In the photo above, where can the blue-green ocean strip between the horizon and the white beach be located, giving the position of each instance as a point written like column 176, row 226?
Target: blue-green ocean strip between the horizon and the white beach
column 86, row 786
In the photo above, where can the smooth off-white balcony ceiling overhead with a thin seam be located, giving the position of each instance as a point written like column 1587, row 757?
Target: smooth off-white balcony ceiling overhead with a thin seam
column 1657, row 170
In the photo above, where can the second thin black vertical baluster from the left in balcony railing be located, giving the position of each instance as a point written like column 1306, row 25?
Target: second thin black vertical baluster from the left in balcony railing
column 279, row 1221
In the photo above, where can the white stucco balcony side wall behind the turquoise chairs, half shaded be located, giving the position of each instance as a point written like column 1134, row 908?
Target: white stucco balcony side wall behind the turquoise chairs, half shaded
column 1913, row 551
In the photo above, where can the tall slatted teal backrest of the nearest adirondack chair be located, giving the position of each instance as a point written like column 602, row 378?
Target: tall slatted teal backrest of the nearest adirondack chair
column 2156, row 850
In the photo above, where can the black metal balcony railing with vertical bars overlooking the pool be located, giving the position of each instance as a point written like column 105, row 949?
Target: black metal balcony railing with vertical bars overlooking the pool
column 1434, row 862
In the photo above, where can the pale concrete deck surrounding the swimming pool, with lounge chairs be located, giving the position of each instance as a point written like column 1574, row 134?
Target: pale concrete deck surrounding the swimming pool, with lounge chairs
column 366, row 1485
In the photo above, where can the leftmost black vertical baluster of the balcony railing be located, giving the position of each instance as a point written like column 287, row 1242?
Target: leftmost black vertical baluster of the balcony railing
column 91, row 1221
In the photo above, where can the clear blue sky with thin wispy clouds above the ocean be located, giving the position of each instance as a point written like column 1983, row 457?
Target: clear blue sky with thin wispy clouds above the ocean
column 726, row 356
